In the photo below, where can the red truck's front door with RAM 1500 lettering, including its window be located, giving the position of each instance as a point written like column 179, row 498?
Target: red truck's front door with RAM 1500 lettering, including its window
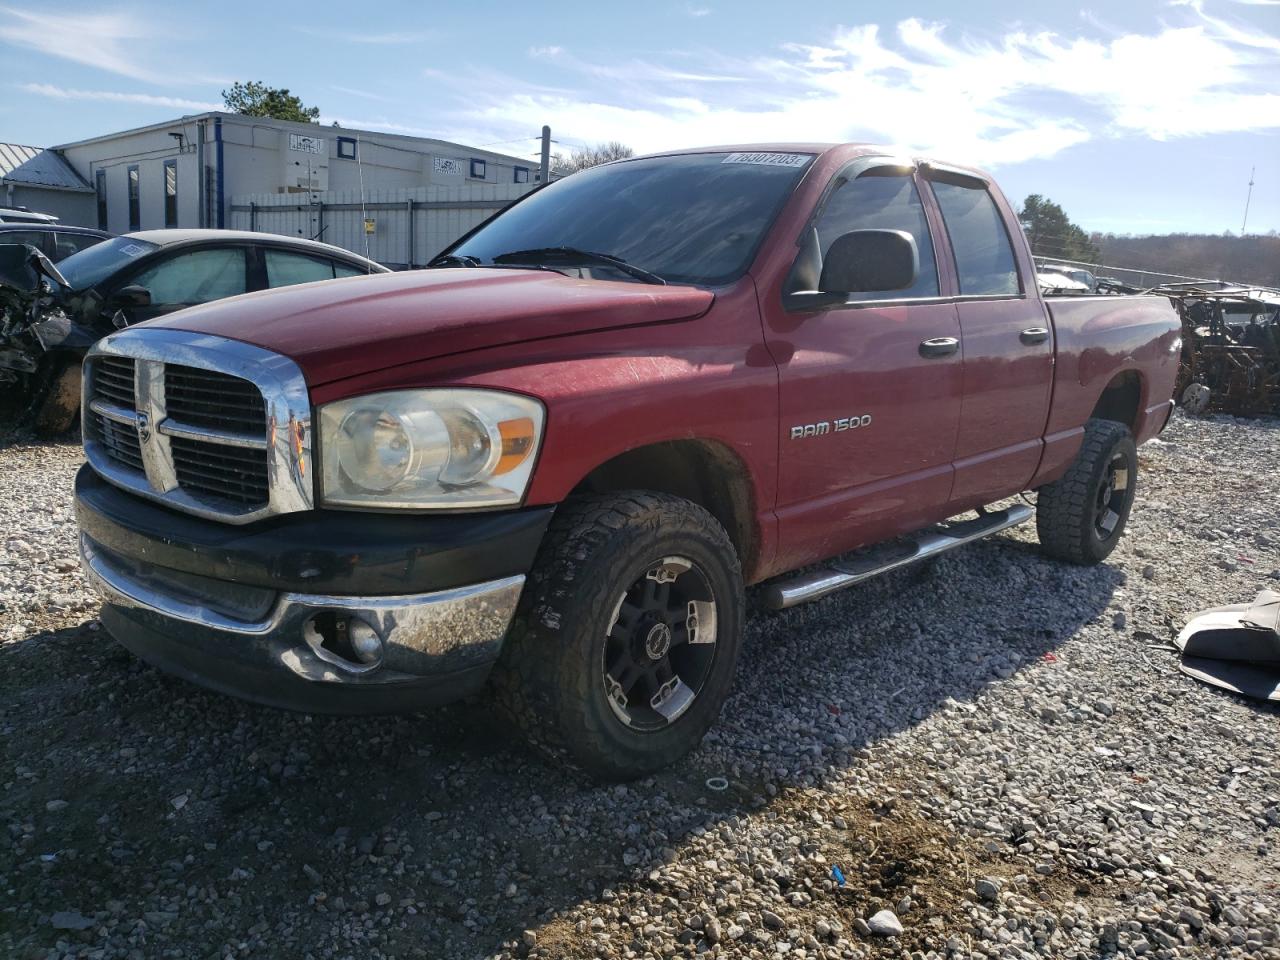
column 868, row 412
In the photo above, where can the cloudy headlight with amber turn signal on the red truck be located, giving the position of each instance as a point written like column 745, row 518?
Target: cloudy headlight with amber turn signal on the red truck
column 449, row 449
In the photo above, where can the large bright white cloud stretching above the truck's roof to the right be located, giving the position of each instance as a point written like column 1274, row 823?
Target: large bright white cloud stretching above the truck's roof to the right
column 984, row 99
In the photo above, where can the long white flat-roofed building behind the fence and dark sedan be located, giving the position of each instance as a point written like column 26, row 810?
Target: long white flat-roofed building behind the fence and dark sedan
column 184, row 173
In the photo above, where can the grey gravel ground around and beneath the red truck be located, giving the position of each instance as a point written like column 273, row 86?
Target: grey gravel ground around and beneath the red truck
column 999, row 752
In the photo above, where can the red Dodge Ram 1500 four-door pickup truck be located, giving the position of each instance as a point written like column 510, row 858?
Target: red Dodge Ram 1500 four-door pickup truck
column 551, row 467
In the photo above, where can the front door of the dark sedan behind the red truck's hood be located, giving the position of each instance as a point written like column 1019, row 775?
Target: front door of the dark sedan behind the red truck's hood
column 186, row 278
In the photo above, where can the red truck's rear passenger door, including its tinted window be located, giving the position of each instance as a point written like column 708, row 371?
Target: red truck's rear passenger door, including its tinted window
column 1008, row 344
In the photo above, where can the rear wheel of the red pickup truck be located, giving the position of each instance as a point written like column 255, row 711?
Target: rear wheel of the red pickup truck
column 1081, row 516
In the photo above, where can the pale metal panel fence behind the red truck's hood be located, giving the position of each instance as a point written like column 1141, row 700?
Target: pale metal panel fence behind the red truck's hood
column 403, row 228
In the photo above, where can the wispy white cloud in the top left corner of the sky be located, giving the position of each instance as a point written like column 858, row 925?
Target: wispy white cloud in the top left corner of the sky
column 104, row 40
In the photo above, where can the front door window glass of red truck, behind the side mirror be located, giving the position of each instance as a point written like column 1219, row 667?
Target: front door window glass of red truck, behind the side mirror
column 875, row 203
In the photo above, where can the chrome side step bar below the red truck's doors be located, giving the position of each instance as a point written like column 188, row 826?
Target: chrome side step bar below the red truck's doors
column 881, row 560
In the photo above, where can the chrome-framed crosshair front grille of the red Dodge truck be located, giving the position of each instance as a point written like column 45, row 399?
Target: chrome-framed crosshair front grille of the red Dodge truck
column 211, row 427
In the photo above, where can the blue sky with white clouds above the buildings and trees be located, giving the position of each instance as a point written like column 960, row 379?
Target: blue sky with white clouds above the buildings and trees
column 1137, row 117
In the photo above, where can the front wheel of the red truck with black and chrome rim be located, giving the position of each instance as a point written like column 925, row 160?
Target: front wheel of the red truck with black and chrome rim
column 628, row 637
